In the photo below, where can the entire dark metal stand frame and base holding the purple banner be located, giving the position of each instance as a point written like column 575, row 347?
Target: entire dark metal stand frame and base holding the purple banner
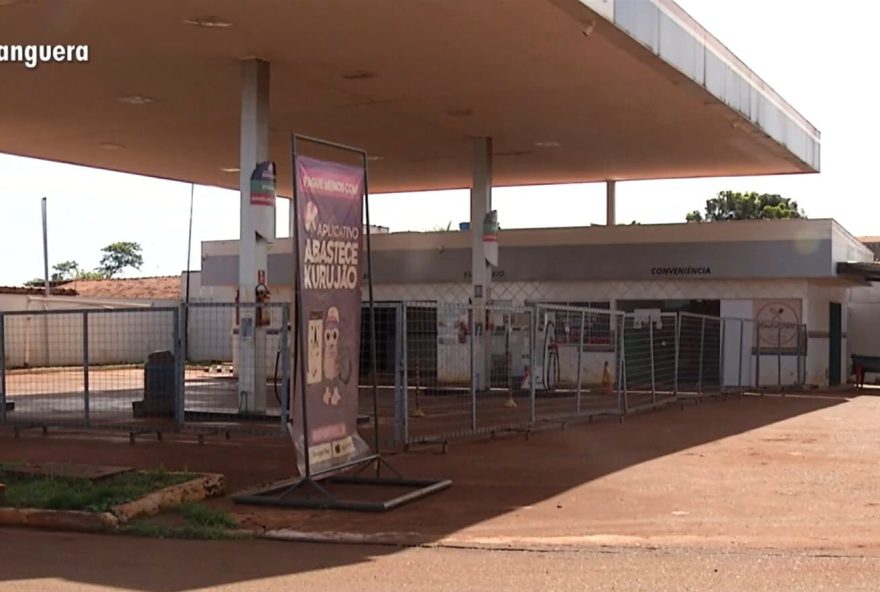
column 308, row 490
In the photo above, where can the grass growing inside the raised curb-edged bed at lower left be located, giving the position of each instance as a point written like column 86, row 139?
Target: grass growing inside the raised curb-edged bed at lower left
column 71, row 493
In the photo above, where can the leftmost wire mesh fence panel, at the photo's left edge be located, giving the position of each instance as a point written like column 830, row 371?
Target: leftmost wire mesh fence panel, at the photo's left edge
column 84, row 367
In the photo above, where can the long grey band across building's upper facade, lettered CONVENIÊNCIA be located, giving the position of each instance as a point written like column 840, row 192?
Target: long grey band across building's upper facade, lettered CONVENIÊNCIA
column 769, row 259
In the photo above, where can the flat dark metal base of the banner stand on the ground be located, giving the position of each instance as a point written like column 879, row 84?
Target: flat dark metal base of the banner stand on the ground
column 277, row 495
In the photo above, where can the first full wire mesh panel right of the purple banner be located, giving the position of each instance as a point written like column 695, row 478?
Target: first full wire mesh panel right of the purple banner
column 464, row 370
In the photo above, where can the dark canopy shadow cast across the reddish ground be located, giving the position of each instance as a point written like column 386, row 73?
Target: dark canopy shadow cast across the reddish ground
column 491, row 479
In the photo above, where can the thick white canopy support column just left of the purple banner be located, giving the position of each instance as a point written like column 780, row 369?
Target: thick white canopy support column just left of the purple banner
column 257, row 231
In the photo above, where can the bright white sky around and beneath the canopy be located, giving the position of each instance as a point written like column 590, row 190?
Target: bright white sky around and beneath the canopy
column 818, row 55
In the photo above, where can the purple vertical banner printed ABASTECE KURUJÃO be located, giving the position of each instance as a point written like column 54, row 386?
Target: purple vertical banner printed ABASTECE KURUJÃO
column 329, row 224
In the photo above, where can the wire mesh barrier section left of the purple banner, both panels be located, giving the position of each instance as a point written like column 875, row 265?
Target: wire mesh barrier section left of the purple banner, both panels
column 132, row 368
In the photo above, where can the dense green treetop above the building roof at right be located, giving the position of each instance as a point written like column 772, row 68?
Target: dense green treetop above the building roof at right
column 734, row 205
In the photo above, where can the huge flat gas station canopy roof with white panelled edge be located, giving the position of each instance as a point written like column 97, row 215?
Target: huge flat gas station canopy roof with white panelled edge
column 569, row 90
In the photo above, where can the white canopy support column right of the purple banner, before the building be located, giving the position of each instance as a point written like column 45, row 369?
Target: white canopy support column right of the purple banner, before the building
column 481, row 273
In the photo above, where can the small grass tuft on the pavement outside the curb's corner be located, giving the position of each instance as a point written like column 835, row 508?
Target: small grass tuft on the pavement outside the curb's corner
column 188, row 521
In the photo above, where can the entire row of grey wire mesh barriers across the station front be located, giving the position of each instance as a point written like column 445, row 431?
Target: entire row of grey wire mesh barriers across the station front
column 444, row 370
